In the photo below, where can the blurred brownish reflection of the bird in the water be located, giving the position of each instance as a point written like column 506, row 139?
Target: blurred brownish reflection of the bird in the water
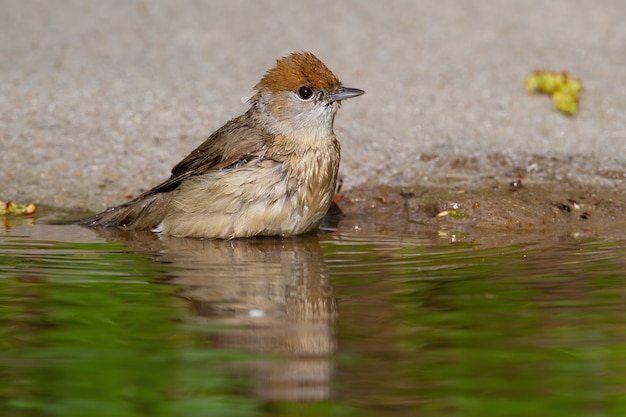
column 275, row 291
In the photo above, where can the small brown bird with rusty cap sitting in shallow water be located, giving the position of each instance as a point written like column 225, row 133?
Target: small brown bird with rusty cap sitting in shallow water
column 271, row 171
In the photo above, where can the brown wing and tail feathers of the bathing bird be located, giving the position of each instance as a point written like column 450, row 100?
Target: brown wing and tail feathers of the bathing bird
column 236, row 140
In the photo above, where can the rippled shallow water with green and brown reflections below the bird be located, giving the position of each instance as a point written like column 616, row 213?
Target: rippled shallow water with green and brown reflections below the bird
column 409, row 321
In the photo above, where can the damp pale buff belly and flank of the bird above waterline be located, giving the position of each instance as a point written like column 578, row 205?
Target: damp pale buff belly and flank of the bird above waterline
column 263, row 197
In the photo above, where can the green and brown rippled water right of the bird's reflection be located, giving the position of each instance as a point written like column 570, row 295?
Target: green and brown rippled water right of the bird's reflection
column 452, row 330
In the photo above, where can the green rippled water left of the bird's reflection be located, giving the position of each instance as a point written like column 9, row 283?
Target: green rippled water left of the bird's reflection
column 87, row 330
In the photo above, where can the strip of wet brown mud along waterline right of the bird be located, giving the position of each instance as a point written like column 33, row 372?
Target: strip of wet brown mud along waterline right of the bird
column 504, row 207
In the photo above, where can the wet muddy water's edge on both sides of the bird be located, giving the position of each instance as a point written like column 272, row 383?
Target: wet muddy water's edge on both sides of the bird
column 503, row 212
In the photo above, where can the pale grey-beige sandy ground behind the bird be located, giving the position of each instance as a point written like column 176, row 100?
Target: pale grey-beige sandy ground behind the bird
column 98, row 100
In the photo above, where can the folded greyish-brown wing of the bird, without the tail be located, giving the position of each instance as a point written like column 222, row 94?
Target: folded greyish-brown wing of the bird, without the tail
column 237, row 140
